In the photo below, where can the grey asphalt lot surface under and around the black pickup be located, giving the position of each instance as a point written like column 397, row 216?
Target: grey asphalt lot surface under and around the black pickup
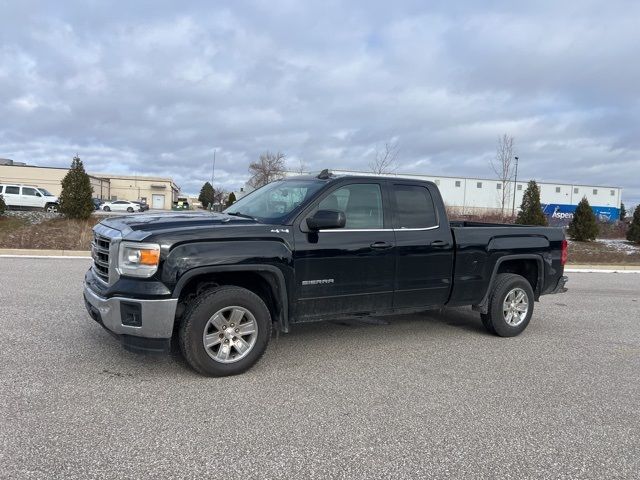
column 425, row 396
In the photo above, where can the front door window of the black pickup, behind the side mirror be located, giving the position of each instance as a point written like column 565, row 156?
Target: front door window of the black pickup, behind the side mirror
column 360, row 202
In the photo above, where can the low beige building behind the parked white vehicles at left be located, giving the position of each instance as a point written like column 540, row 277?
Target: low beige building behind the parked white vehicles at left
column 158, row 192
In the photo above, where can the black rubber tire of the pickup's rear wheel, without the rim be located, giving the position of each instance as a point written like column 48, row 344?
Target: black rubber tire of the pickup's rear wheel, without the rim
column 494, row 320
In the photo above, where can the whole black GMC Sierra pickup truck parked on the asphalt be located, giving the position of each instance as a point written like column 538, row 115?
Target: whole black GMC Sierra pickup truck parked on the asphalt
column 309, row 248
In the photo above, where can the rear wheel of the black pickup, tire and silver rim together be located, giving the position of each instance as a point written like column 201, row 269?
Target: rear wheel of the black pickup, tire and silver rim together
column 510, row 306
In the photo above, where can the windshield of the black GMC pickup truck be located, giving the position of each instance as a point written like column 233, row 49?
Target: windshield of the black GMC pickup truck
column 276, row 200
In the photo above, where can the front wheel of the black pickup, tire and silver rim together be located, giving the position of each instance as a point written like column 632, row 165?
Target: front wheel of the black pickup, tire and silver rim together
column 225, row 331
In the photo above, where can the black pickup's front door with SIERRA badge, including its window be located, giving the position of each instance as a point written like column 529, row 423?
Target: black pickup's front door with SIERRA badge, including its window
column 350, row 269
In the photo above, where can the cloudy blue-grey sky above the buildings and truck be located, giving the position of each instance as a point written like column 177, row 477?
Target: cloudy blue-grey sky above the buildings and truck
column 155, row 87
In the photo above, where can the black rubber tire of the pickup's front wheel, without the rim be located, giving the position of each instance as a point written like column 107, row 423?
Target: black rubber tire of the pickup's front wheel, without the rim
column 197, row 317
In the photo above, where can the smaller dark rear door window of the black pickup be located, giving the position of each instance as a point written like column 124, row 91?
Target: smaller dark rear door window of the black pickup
column 414, row 207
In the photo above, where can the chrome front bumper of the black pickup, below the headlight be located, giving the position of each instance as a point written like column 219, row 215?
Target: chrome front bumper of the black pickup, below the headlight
column 155, row 319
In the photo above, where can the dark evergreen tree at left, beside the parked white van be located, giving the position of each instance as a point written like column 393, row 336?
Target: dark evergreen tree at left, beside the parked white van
column 76, row 197
